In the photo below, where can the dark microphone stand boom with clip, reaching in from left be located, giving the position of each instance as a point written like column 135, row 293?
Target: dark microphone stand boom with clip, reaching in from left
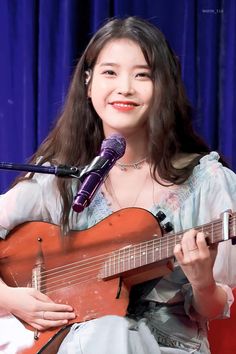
column 61, row 170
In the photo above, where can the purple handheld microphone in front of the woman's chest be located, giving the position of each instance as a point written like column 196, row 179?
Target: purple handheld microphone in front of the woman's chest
column 112, row 149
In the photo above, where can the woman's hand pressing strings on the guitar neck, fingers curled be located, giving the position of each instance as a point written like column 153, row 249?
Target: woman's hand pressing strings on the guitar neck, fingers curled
column 196, row 259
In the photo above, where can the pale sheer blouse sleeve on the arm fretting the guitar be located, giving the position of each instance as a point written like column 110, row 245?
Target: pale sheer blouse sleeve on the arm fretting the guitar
column 217, row 194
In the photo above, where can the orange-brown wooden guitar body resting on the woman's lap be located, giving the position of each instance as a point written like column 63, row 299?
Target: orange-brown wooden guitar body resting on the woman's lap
column 69, row 269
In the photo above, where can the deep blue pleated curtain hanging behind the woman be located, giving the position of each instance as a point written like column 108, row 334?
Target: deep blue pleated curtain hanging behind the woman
column 41, row 40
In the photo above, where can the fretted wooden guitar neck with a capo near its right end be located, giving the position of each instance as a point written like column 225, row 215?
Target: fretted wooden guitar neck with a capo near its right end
column 162, row 248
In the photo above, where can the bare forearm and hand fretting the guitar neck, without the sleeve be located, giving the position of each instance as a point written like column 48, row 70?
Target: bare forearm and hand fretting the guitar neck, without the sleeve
column 196, row 261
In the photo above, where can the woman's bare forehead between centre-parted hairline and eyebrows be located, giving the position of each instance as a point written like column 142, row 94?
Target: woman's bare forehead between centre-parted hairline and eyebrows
column 121, row 51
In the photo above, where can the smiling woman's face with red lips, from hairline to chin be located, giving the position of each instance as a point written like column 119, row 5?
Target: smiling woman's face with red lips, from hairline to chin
column 121, row 87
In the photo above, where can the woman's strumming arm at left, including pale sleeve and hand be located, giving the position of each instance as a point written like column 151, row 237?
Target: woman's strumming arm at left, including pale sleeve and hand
column 22, row 203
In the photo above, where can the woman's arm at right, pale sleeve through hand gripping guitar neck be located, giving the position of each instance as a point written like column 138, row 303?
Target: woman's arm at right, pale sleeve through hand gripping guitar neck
column 213, row 192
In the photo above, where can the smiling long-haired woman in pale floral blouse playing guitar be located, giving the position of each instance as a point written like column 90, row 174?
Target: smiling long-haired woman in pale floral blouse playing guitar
column 128, row 81
